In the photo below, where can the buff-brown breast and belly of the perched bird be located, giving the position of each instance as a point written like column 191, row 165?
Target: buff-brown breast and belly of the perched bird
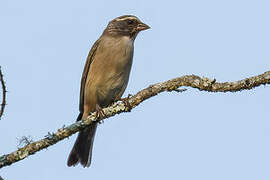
column 110, row 69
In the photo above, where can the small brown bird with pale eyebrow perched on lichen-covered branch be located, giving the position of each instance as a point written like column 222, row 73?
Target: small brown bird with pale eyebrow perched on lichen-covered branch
column 104, row 79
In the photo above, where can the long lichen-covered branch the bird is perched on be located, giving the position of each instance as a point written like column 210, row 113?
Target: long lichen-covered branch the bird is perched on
column 203, row 84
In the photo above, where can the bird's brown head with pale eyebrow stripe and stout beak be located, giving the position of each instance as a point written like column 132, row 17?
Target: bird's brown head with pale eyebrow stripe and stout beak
column 126, row 25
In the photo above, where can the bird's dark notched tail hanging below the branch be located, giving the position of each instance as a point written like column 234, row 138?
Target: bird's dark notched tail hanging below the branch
column 82, row 149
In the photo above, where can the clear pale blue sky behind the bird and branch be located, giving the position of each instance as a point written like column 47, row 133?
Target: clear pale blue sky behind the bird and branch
column 193, row 135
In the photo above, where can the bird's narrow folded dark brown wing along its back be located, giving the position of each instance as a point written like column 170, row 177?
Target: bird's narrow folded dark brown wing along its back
column 89, row 60
